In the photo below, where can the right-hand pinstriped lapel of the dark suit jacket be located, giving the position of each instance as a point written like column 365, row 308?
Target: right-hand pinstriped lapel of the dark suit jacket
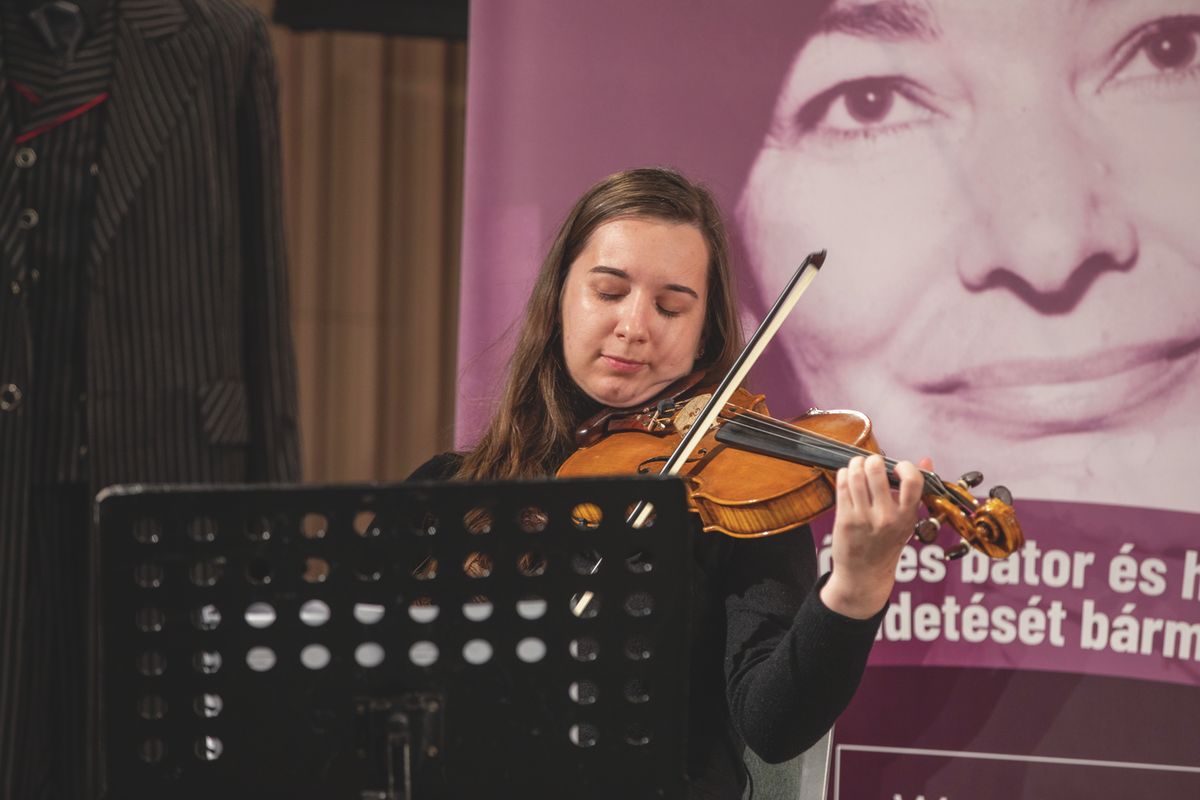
column 159, row 61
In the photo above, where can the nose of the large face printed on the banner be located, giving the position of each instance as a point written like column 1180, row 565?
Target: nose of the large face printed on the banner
column 1046, row 219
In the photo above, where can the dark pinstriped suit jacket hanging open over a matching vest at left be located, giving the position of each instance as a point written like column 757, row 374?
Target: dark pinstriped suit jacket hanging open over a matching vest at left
column 189, row 356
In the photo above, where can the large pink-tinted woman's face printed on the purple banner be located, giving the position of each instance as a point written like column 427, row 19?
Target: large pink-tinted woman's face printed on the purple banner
column 1011, row 199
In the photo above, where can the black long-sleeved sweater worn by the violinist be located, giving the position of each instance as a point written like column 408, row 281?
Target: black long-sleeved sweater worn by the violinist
column 772, row 667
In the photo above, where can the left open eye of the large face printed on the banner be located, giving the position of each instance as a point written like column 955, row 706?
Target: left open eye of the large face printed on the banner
column 866, row 109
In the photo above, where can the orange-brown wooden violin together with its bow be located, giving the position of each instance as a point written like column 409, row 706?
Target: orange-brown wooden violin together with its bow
column 749, row 474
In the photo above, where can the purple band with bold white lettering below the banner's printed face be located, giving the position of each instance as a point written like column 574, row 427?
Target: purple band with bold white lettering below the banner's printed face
column 1097, row 590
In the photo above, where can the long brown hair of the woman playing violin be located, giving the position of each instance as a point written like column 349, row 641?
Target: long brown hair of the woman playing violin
column 533, row 430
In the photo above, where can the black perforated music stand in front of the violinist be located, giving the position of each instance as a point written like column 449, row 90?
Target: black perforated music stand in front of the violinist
column 410, row 641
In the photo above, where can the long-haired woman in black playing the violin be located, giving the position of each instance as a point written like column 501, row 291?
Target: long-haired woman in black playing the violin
column 637, row 292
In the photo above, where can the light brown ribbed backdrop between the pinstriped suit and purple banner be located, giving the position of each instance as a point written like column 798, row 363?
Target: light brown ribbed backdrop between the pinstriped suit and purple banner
column 373, row 149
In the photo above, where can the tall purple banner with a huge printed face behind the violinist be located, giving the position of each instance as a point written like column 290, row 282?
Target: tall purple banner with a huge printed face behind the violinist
column 1010, row 195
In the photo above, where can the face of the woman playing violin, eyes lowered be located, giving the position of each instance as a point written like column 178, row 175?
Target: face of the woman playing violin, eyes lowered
column 634, row 309
